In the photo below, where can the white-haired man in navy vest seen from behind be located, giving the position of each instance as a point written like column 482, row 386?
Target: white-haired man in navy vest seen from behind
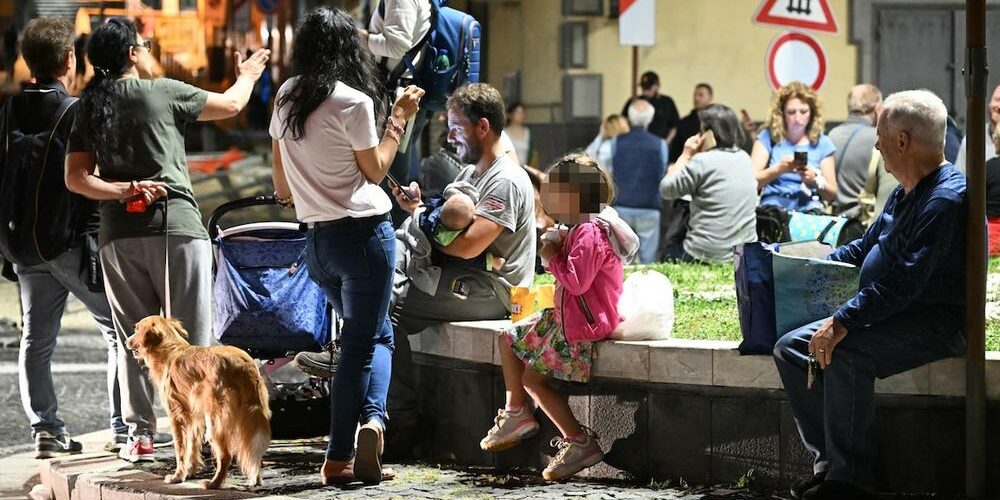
column 639, row 161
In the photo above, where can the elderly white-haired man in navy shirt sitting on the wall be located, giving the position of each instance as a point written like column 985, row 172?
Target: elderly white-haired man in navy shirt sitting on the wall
column 908, row 311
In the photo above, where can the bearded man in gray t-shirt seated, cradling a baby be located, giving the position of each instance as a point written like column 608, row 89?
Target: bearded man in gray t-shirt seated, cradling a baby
column 504, row 225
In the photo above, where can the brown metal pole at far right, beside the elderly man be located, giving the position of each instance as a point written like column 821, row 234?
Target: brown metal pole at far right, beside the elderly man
column 975, row 277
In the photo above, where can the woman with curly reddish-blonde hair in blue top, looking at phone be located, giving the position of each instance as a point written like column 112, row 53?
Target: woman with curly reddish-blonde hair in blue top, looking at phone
column 792, row 158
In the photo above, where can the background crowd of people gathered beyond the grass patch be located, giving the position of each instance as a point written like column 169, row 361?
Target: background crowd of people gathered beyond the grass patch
column 798, row 166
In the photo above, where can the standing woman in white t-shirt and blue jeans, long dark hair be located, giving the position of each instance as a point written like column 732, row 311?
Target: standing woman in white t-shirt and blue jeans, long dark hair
column 328, row 162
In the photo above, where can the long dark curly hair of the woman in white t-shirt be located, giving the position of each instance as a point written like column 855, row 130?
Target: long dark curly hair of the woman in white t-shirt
column 327, row 49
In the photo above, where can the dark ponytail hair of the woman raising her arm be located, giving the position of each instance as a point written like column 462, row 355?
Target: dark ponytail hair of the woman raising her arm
column 108, row 51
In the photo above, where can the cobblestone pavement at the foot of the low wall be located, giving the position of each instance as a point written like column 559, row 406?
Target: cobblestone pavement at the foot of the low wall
column 291, row 469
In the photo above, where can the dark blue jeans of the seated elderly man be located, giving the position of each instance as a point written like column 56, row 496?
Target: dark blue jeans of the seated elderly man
column 836, row 418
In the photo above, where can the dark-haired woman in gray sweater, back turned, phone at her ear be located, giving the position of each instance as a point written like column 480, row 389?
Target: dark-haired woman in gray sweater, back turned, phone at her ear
column 717, row 174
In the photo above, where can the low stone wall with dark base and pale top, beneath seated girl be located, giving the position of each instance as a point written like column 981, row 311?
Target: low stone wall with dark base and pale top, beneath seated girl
column 705, row 430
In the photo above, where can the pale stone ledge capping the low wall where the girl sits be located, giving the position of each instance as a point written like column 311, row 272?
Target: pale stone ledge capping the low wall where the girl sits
column 694, row 362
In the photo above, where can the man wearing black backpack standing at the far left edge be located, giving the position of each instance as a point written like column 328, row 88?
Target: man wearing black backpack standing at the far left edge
column 44, row 229
